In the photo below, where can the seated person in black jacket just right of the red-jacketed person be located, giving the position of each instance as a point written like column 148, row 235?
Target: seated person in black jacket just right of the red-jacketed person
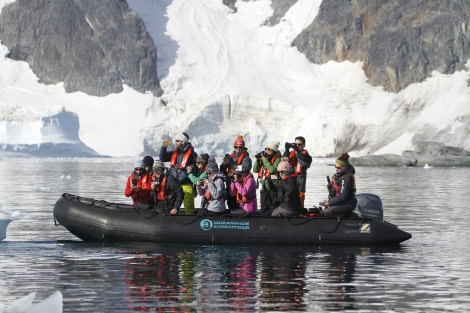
column 166, row 190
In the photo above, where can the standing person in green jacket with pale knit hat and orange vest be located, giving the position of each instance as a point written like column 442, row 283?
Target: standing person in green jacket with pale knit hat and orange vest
column 266, row 166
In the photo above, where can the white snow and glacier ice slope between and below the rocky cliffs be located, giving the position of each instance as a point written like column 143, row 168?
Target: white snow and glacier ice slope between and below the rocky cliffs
column 225, row 74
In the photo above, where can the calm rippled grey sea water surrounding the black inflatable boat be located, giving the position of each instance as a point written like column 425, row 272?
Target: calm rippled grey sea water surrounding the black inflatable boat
column 429, row 273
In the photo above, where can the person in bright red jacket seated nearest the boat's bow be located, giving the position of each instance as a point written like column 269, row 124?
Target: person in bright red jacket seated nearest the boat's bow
column 138, row 187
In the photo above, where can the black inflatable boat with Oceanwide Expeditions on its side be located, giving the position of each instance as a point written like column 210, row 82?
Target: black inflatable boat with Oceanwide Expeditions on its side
column 90, row 219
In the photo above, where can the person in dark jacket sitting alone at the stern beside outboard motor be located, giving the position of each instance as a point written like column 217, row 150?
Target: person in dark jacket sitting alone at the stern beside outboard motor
column 342, row 199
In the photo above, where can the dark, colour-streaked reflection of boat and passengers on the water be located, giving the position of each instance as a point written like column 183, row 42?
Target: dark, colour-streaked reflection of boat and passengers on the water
column 244, row 278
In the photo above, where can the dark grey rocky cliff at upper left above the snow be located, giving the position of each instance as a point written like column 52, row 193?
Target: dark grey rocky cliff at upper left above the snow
column 91, row 46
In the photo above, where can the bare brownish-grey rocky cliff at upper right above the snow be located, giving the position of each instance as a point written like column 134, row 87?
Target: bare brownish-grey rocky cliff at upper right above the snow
column 400, row 42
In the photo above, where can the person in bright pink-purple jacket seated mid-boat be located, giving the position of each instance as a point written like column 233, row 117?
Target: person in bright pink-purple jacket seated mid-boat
column 243, row 187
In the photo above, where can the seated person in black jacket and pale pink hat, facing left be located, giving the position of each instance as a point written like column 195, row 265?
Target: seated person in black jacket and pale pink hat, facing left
column 288, row 191
